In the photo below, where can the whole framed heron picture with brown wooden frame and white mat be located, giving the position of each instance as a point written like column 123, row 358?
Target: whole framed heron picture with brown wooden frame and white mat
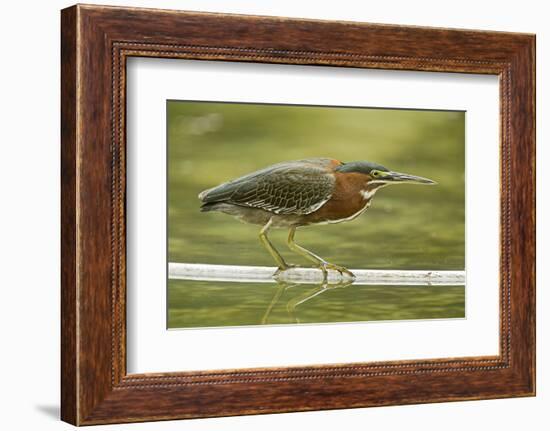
column 263, row 214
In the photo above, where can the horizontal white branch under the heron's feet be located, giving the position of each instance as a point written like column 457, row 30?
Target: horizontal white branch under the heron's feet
column 264, row 274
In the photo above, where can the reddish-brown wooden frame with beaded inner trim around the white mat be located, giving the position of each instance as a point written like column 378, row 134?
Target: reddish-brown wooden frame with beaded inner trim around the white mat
column 95, row 43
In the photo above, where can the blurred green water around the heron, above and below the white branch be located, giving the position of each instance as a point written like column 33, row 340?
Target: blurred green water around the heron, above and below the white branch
column 407, row 226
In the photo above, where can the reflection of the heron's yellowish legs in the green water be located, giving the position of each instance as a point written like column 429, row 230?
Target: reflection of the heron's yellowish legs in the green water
column 300, row 299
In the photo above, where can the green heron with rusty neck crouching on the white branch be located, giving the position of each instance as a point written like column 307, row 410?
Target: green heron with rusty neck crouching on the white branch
column 302, row 193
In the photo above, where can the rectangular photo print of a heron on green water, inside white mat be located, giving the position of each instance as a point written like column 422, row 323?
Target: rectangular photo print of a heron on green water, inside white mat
column 294, row 214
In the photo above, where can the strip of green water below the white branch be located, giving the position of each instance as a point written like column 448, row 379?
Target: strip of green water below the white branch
column 195, row 304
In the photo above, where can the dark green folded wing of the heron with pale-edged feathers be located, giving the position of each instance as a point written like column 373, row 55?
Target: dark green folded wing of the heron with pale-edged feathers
column 299, row 187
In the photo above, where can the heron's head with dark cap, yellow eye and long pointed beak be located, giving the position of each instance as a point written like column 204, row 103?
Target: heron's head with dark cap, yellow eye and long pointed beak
column 376, row 175
